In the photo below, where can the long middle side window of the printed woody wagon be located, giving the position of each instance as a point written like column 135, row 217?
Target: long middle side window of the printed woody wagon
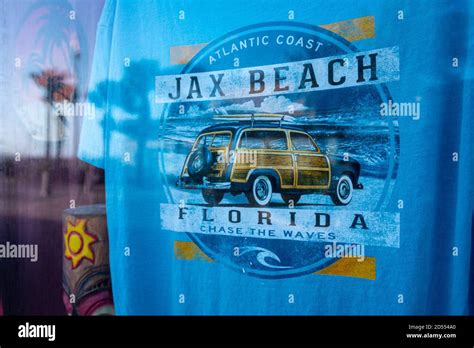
column 272, row 140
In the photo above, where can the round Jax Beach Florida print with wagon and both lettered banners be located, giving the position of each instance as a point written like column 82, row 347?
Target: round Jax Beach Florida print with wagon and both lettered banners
column 274, row 151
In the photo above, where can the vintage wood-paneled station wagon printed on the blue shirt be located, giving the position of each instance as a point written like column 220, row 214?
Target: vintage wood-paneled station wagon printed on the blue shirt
column 263, row 154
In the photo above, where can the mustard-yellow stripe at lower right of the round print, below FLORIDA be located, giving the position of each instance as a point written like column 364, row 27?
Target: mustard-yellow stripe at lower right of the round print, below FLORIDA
column 350, row 267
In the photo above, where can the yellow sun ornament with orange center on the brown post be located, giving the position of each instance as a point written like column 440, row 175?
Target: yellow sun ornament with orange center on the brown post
column 78, row 243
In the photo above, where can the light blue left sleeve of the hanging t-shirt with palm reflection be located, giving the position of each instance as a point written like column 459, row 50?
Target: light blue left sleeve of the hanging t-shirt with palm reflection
column 93, row 139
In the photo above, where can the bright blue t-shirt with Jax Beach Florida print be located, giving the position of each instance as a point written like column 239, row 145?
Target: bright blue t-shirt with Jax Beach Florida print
column 285, row 157
